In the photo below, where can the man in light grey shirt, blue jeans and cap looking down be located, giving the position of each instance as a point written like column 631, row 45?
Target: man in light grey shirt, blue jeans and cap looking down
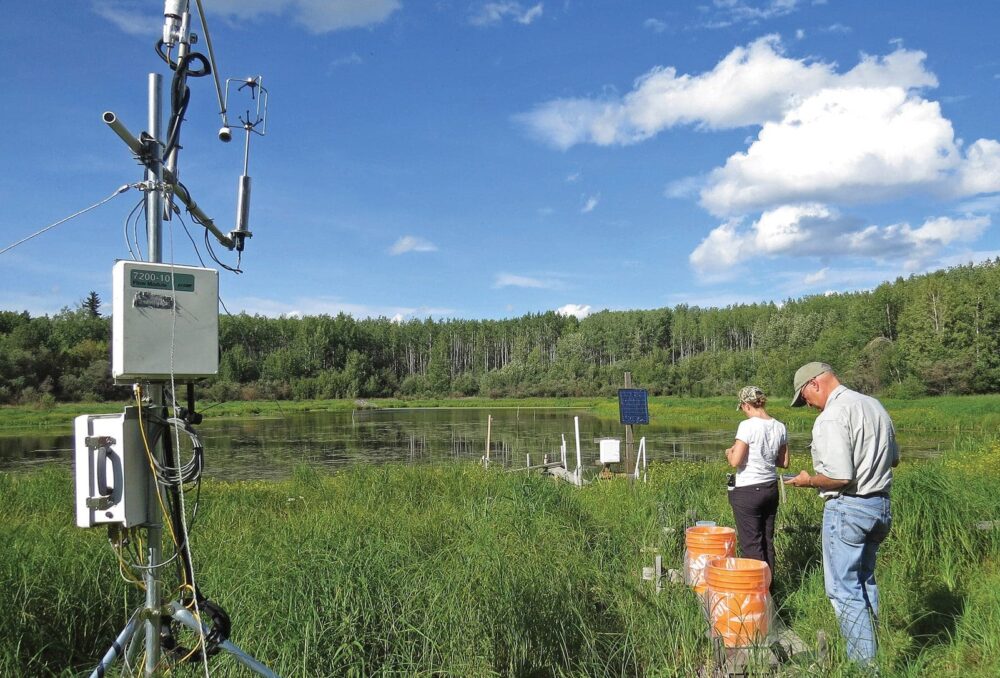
column 854, row 451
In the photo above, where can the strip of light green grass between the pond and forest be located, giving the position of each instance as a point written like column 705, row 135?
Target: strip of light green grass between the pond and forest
column 944, row 413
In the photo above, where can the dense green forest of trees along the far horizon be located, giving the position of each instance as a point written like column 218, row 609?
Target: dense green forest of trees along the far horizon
column 936, row 333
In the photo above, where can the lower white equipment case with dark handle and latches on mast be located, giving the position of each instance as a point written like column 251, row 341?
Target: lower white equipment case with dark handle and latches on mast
column 111, row 469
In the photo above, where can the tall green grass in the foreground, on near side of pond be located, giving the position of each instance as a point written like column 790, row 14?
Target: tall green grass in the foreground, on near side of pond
column 453, row 570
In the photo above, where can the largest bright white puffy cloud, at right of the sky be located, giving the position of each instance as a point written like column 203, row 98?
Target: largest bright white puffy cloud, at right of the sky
column 851, row 144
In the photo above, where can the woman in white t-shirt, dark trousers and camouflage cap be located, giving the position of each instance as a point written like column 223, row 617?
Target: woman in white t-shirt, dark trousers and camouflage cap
column 761, row 446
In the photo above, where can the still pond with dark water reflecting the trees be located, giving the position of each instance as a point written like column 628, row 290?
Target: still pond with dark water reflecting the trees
column 265, row 448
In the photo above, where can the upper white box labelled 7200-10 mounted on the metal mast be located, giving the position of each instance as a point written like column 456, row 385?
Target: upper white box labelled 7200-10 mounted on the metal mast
column 165, row 322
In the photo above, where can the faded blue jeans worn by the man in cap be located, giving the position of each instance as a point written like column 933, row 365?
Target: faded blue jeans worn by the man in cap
column 853, row 528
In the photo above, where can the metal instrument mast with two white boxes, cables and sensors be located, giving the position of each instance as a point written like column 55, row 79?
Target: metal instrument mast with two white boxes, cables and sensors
column 129, row 477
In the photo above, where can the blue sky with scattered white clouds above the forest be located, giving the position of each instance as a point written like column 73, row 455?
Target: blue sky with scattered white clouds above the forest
column 468, row 159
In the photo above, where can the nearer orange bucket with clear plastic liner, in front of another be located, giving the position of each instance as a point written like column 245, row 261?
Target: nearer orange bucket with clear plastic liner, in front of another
column 739, row 605
